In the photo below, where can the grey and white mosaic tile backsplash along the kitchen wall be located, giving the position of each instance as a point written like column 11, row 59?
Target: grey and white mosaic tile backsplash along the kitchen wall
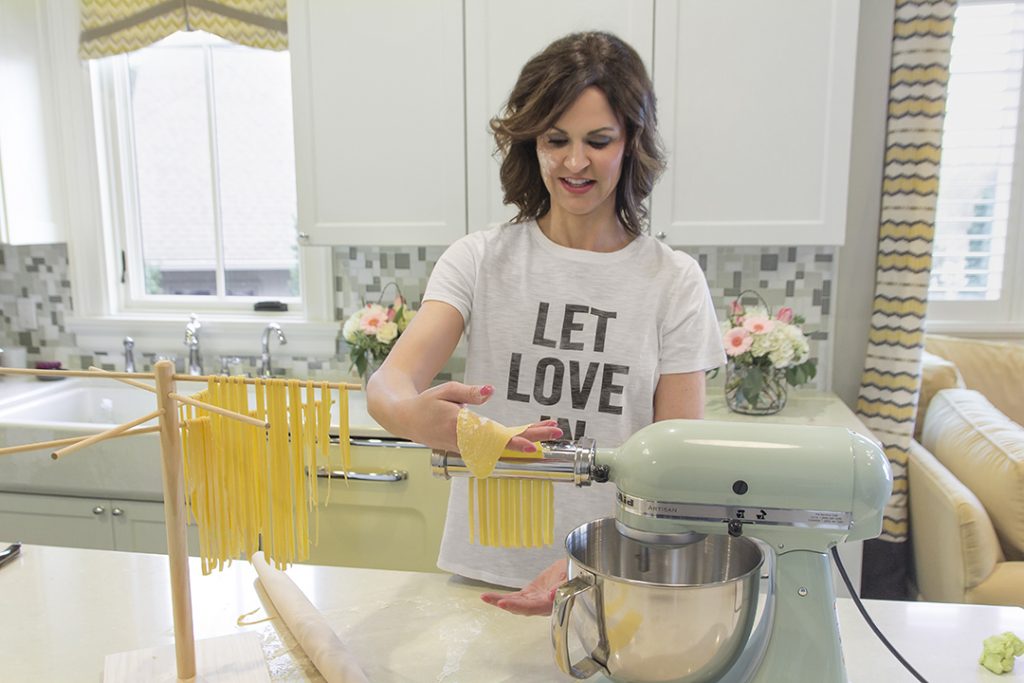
column 35, row 279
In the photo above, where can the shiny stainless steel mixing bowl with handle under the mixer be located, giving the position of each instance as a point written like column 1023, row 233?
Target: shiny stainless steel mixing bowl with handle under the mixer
column 648, row 614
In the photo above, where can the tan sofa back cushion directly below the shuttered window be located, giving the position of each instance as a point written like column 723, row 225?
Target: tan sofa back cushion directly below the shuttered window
column 996, row 369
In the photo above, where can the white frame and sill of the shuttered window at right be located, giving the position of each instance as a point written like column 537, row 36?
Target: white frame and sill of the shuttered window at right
column 1006, row 316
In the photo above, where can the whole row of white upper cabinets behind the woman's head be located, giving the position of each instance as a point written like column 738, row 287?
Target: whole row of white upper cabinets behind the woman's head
column 394, row 101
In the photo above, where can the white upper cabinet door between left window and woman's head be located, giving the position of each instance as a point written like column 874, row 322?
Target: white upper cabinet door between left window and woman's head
column 379, row 124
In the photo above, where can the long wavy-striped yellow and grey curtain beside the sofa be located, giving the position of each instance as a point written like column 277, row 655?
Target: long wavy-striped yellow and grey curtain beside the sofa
column 888, row 400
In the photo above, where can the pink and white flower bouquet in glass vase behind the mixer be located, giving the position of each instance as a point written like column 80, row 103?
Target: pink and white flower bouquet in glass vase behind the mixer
column 763, row 350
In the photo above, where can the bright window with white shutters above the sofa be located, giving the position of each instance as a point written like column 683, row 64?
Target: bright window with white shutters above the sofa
column 978, row 266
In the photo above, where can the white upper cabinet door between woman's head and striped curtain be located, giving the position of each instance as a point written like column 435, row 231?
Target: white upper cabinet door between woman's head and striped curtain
column 755, row 106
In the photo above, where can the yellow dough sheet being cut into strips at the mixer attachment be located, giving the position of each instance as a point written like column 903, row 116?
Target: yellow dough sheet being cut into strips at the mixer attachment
column 505, row 513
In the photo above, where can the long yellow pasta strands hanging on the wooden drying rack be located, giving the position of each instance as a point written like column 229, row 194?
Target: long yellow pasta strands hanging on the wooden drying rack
column 247, row 487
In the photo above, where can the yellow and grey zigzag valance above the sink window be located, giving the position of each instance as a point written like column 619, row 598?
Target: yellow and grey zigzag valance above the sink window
column 115, row 27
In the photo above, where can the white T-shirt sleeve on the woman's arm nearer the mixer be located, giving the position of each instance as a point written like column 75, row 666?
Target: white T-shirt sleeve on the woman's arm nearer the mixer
column 691, row 334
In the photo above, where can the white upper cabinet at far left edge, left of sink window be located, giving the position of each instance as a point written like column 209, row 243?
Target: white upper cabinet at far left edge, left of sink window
column 31, row 198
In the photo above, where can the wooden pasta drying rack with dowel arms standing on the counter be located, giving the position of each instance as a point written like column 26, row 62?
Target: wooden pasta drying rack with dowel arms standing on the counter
column 235, row 658
